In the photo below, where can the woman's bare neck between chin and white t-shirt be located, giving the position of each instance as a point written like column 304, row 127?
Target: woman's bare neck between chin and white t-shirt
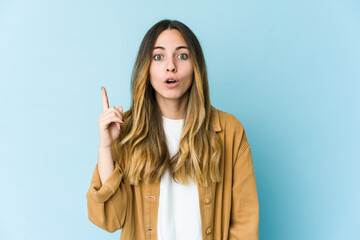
column 173, row 108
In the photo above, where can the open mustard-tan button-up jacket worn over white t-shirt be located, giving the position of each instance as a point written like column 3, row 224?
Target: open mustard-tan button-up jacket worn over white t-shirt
column 229, row 209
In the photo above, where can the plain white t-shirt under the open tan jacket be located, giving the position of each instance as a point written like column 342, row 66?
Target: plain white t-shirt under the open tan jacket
column 179, row 212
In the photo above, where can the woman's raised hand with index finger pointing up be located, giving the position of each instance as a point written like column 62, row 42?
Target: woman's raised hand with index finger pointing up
column 109, row 122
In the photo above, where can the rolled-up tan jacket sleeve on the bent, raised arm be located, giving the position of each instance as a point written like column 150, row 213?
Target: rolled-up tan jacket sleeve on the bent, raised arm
column 107, row 204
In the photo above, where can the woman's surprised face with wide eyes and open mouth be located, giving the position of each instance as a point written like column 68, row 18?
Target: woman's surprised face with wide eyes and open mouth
column 171, row 69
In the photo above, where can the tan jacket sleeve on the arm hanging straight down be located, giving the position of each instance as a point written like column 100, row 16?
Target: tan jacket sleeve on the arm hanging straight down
column 244, row 224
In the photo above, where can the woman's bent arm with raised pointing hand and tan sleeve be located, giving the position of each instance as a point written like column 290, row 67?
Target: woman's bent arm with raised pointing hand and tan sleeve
column 107, row 197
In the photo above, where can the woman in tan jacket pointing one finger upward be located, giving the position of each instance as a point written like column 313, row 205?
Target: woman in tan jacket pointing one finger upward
column 173, row 166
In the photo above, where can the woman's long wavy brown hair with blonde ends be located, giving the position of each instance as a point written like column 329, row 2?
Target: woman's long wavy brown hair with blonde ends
column 141, row 148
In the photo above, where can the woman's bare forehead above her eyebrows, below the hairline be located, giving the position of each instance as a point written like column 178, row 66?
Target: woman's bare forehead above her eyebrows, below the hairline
column 170, row 38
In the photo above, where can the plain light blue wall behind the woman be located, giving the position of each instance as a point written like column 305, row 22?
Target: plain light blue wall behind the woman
column 288, row 70
